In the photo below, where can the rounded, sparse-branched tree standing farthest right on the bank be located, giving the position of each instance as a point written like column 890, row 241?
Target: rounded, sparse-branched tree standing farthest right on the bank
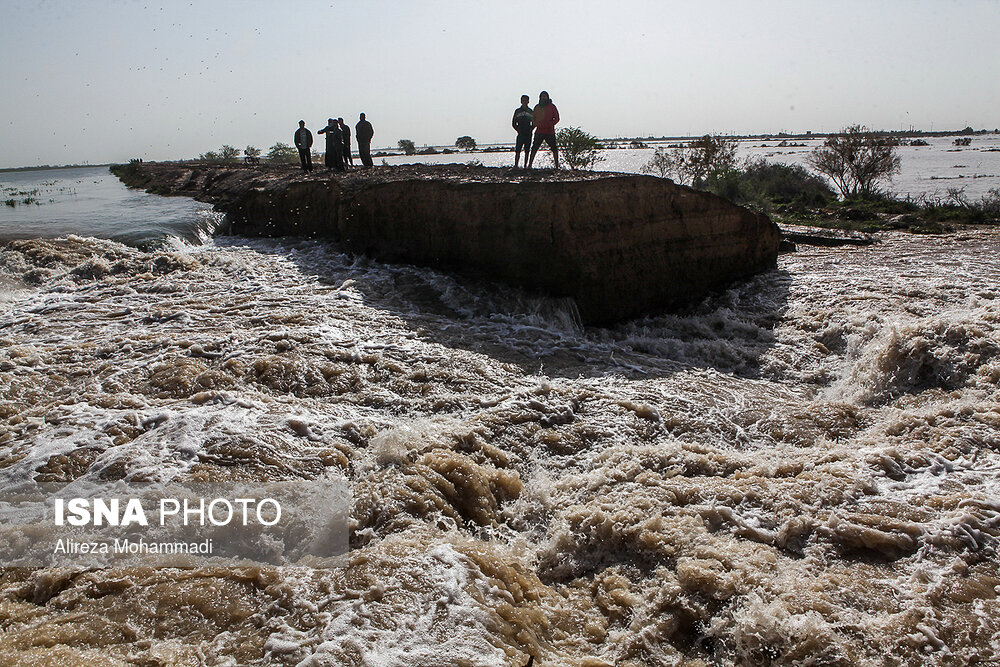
column 856, row 161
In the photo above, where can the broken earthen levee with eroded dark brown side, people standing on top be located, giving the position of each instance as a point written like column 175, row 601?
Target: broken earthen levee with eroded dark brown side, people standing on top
column 621, row 245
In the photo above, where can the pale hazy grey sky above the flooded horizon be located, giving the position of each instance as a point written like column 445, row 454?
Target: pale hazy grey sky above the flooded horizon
column 105, row 81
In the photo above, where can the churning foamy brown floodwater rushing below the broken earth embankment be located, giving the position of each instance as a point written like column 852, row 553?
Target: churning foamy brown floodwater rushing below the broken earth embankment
column 803, row 469
